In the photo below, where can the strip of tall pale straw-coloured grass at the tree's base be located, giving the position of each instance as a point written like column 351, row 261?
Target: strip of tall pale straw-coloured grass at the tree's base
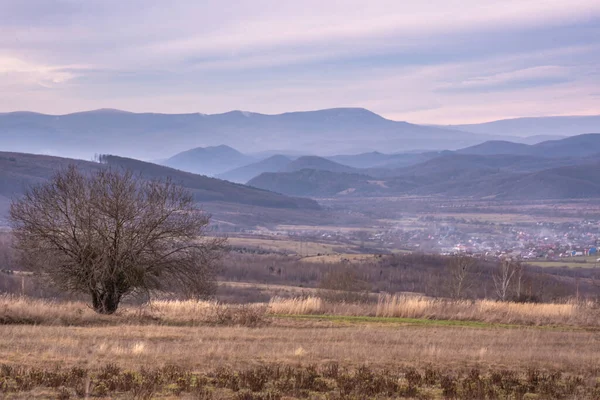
column 22, row 310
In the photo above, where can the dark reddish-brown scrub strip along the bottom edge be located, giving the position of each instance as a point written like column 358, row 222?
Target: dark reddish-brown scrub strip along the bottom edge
column 276, row 382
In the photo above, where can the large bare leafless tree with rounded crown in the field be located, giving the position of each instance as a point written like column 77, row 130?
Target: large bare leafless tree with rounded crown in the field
column 109, row 234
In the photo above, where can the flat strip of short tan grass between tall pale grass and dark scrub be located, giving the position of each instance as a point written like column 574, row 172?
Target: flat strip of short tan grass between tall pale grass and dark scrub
column 287, row 341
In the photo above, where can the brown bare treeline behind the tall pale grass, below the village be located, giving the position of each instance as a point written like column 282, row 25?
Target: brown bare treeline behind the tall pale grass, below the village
column 427, row 274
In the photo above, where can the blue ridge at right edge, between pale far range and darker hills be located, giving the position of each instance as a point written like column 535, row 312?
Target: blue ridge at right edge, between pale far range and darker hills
column 575, row 146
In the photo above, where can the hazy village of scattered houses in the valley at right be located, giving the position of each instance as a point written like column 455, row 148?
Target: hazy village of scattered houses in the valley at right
column 551, row 241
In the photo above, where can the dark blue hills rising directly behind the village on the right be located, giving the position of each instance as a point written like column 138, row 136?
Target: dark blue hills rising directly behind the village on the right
column 454, row 175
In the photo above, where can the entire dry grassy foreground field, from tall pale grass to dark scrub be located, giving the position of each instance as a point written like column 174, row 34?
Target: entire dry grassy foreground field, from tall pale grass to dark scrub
column 300, row 348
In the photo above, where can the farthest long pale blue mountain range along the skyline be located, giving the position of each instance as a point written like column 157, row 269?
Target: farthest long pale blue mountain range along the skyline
column 156, row 136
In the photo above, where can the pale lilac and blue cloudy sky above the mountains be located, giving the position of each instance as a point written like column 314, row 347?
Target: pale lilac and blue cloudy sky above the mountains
column 434, row 62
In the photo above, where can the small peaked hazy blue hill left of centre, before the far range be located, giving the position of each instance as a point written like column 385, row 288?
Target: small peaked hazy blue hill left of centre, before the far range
column 208, row 160
